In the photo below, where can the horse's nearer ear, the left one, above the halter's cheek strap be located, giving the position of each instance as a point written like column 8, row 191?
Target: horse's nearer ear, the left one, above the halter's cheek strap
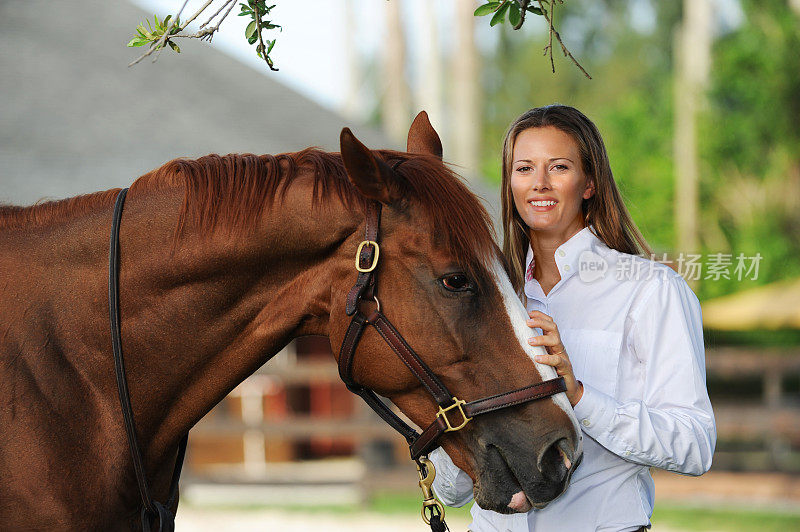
column 370, row 175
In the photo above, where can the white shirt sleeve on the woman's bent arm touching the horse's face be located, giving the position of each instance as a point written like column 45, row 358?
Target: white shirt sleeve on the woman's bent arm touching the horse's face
column 672, row 427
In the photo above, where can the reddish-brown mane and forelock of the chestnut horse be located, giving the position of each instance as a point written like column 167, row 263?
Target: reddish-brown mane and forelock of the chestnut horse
column 231, row 192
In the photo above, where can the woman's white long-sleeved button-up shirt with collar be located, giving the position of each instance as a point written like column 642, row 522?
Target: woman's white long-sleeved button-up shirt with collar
column 633, row 331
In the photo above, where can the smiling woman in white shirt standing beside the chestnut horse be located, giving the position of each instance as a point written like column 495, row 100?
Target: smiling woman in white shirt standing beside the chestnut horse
column 624, row 332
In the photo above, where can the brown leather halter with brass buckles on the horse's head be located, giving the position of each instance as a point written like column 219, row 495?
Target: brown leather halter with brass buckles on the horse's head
column 454, row 413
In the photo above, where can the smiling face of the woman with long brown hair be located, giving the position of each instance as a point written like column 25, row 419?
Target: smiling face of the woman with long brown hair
column 547, row 181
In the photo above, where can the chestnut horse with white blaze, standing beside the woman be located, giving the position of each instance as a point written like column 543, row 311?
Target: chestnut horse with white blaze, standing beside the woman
column 224, row 260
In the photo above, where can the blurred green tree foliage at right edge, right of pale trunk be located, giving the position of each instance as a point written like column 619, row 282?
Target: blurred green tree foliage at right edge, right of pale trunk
column 751, row 144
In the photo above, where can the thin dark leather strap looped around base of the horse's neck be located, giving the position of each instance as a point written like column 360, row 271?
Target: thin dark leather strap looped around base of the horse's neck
column 151, row 508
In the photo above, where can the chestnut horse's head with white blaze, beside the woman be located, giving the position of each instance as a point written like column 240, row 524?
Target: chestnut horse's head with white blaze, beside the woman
column 441, row 280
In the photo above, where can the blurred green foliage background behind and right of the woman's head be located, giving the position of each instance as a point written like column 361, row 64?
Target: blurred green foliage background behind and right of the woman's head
column 749, row 127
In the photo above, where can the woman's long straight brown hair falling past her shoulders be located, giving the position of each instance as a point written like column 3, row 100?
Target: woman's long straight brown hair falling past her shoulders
column 605, row 210
